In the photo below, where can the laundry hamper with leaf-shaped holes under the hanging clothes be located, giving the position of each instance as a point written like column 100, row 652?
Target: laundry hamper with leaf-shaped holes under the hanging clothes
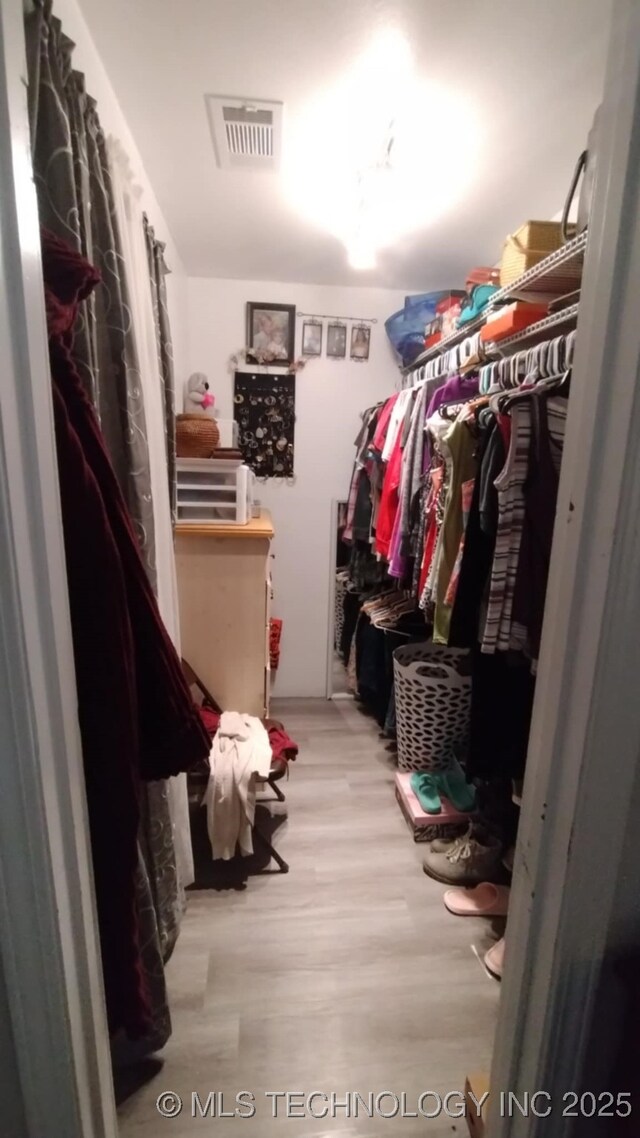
column 432, row 706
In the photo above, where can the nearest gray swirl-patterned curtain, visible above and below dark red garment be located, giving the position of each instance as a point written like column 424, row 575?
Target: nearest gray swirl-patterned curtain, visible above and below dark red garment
column 76, row 202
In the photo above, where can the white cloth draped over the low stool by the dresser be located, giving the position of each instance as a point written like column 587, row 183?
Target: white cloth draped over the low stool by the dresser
column 241, row 751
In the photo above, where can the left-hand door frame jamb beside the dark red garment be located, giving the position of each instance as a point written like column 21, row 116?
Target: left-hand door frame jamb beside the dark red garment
column 56, row 1035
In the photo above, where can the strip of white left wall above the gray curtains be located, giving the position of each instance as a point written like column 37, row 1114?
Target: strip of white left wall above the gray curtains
column 87, row 60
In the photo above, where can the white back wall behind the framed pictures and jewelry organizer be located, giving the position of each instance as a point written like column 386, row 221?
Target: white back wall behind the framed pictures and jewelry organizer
column 331, row 395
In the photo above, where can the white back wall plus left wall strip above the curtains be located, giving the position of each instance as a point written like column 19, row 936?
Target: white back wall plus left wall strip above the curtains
column 208, row 323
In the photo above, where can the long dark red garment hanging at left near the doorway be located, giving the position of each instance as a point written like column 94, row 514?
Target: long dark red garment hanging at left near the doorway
column 137, row 718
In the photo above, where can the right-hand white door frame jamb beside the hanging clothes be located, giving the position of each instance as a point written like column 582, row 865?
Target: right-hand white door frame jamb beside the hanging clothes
column 578, row 837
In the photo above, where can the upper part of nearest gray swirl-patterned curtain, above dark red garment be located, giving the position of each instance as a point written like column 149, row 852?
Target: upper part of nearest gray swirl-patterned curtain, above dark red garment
column 75, row 193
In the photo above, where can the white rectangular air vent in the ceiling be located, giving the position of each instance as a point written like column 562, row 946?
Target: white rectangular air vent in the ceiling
column 248, row 134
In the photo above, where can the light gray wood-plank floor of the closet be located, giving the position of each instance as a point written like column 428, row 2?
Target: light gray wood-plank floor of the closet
column 348, row 975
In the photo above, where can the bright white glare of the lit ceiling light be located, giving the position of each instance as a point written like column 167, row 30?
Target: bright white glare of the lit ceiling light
column 358, row 161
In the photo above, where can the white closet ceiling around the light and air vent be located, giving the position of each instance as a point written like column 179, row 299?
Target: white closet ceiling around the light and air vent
column 531, row 75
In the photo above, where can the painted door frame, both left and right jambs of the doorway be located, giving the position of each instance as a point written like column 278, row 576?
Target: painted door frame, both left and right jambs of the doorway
column 587, row 702
